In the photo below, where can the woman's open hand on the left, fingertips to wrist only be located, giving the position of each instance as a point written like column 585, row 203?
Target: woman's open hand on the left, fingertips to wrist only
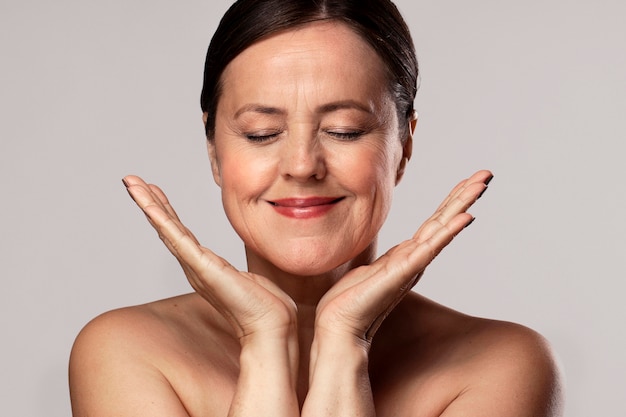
column 252, row 304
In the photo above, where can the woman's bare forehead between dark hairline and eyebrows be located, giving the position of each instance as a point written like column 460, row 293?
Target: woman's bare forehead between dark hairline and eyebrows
column 328, row 60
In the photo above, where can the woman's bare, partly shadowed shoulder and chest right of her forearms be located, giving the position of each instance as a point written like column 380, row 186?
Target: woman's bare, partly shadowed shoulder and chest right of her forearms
column 474, row 366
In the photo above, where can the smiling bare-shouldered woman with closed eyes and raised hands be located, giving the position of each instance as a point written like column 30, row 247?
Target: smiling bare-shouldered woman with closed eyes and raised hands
column 308, row 111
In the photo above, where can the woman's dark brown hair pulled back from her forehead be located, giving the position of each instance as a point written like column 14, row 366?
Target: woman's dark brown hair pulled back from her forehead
column 378, row 22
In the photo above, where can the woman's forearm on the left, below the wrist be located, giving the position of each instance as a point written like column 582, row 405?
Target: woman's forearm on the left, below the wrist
column 267, row 379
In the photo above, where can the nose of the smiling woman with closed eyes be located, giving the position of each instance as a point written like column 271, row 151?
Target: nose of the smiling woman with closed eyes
column 302, row 156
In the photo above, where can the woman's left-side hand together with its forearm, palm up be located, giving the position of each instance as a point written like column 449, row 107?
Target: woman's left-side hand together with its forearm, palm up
column 262, row 315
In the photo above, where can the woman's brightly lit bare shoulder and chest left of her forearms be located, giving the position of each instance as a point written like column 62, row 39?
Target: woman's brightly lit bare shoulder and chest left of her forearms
column 142, row 360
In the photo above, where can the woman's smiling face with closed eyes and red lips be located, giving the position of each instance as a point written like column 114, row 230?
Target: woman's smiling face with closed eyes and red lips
column 307, row 148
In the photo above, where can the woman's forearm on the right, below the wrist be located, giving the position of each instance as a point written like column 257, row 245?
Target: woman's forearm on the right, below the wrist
column 339, row 379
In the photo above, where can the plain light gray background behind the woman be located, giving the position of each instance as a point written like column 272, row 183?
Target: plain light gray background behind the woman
column 534, row 90
